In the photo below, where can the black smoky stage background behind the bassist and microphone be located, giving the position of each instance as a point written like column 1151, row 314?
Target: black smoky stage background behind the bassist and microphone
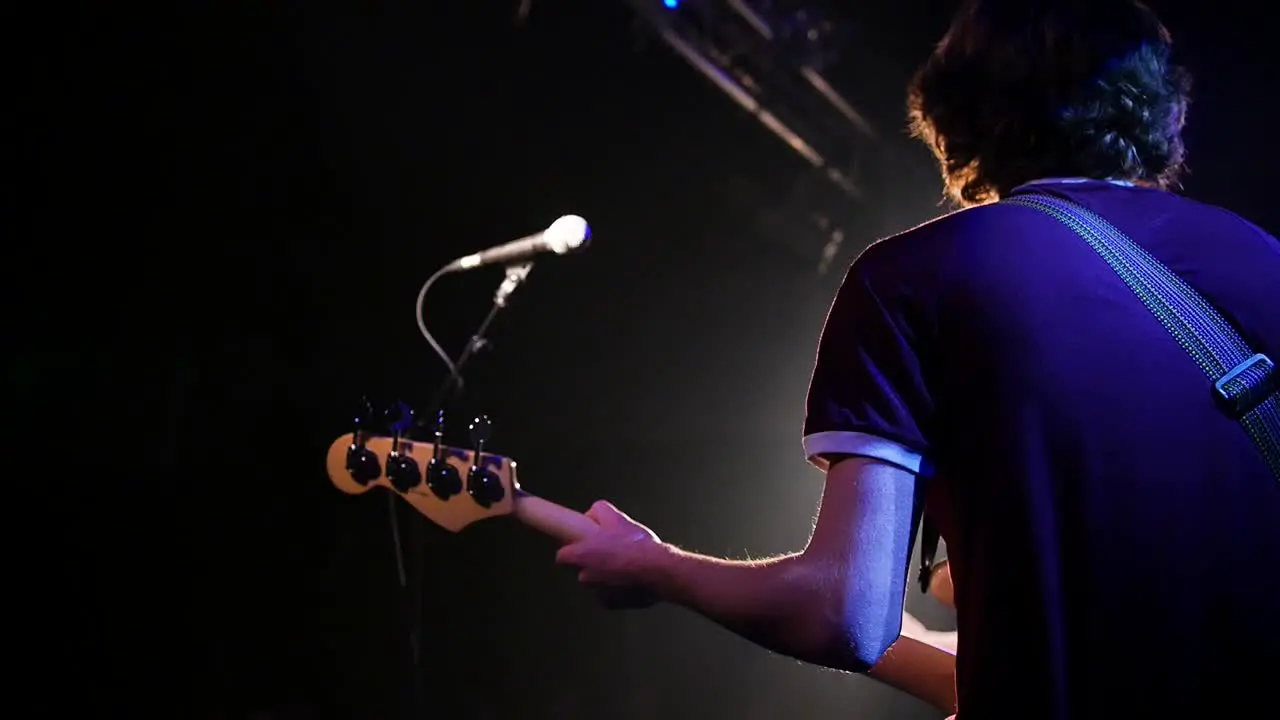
column 223, row 215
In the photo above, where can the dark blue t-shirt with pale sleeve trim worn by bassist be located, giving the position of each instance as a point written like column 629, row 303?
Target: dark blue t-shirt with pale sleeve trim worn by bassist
column 1114, row 539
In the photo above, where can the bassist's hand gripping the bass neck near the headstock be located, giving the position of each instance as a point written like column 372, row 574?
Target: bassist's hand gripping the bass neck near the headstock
column 616, row 559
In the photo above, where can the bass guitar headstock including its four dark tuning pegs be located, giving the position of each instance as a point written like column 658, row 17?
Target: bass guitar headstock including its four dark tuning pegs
column 445, row 484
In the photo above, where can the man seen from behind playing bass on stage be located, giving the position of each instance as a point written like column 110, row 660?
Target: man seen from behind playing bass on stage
column 1110, row 532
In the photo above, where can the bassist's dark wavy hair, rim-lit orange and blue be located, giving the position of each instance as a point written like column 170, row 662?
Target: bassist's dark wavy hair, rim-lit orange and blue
column 1021, row 90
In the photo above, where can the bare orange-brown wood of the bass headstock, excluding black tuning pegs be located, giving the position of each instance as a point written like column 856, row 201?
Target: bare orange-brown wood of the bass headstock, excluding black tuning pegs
column 452, row 512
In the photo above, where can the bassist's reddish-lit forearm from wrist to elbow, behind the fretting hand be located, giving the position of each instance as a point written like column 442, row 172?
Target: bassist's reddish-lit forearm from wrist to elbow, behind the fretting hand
column 781, row 604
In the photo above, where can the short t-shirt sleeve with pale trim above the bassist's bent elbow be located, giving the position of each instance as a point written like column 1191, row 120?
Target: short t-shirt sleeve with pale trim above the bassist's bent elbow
column 867, row 397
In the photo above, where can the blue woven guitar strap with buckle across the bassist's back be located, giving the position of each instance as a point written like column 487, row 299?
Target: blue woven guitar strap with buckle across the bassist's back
column 1244, row 384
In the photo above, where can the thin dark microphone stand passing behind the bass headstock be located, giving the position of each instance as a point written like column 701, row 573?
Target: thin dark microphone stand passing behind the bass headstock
column 412, row 584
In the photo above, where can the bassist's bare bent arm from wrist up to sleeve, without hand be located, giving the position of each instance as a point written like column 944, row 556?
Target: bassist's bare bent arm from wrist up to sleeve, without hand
column 836, row 604
